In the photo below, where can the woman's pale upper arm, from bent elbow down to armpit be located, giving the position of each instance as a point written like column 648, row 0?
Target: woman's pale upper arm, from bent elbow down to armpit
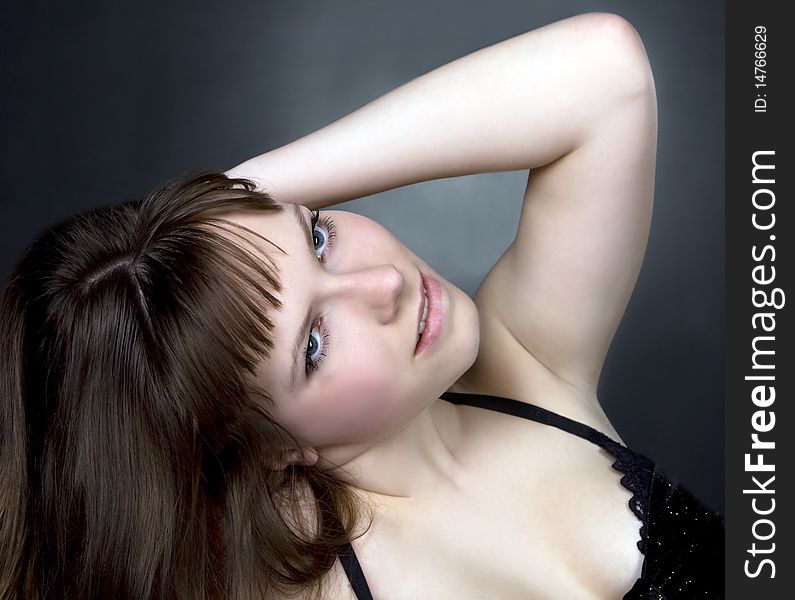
column 562, row 286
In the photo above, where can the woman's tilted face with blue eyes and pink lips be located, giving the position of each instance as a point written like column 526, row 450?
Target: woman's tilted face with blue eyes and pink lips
column 344, row 370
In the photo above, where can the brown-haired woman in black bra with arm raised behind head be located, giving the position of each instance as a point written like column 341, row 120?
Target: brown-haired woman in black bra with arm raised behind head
column 212, row 394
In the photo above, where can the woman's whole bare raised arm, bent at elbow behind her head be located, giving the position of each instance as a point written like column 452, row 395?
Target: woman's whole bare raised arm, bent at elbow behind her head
column 574, row 101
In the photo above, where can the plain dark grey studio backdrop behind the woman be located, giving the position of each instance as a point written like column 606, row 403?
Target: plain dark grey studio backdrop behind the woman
column 101, row 101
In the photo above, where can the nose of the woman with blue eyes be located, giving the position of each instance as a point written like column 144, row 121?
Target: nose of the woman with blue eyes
column 375, row 288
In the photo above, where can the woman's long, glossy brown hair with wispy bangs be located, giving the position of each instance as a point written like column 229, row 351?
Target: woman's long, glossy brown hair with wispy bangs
column 137, row 460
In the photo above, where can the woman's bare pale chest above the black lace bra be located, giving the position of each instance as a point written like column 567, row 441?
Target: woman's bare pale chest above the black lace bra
column 549, row 519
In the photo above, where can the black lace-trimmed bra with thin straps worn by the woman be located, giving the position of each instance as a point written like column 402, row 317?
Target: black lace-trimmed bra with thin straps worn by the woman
column 681, row 540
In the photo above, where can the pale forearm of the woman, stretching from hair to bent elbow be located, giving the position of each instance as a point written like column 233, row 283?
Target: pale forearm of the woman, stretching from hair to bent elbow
column 518, row 104
